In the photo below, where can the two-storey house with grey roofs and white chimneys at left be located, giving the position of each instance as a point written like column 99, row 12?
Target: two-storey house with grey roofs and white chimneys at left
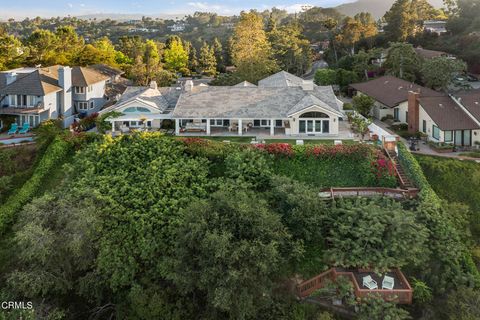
column 33, row 95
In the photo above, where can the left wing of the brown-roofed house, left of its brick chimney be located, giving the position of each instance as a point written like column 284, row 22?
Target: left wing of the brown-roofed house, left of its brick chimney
column 391, row 96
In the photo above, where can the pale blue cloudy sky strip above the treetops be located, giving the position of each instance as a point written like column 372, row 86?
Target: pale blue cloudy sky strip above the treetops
column 47, row 8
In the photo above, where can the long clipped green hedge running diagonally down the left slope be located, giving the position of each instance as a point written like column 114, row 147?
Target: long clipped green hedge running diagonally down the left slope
column 54, row 156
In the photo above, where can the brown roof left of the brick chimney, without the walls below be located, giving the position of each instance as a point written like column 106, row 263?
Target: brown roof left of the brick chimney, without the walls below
column 392, row 91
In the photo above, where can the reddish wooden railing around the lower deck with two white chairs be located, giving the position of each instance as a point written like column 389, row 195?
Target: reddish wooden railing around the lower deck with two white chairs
column 402, row 296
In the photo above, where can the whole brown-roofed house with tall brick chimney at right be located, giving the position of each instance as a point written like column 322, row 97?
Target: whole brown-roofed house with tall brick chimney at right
column 443, row 118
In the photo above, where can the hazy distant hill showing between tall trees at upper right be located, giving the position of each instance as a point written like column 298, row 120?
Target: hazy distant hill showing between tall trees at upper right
column 376, row 7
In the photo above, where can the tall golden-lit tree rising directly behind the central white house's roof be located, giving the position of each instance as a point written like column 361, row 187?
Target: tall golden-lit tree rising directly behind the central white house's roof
column 251, row 51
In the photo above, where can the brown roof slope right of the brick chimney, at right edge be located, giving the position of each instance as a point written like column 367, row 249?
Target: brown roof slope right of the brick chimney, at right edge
column 445, row 112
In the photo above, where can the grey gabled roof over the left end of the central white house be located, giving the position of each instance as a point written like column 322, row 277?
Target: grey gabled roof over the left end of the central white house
column 145, row 95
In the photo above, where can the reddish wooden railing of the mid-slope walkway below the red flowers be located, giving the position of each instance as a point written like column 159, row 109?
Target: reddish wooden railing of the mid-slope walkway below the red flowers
column 371, row 191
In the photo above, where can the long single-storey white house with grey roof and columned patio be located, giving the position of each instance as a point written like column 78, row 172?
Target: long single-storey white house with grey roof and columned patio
column 281, row 104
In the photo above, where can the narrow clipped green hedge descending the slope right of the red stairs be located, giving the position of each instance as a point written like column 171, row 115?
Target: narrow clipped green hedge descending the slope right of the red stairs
column 415, row 173
